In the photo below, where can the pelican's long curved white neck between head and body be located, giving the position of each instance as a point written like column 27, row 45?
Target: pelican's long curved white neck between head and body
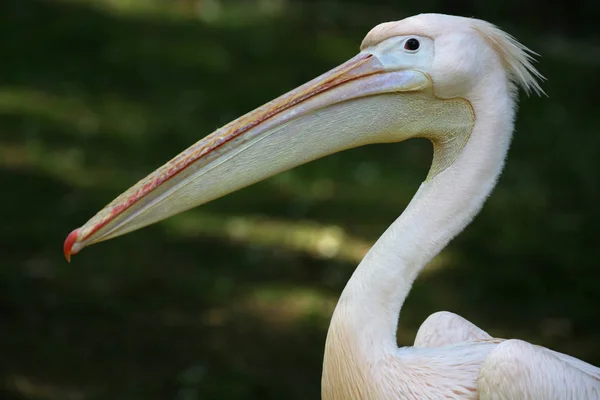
column 363, row 326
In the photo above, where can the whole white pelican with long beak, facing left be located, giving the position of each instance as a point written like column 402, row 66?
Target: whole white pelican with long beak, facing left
column 453, row 80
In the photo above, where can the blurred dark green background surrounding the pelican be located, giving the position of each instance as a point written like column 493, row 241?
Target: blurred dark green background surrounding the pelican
column 232, row 300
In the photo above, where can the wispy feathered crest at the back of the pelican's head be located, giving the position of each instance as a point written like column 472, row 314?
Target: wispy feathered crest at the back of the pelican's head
column 517, row 58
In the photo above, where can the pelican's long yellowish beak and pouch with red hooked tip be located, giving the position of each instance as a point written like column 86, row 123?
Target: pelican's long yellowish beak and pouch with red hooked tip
column 358, row 102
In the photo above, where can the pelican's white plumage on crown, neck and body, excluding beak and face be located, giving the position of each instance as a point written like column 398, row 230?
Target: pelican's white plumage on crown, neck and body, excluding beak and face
column 452, row 358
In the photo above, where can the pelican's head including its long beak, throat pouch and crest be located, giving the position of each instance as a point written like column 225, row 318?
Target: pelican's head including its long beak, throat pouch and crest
column 419, row 77
